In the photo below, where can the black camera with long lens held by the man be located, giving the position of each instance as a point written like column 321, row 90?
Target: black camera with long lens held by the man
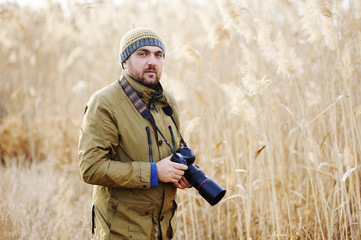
column 207, row 188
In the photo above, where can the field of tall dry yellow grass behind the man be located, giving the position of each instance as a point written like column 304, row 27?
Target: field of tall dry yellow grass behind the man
column 270, row 100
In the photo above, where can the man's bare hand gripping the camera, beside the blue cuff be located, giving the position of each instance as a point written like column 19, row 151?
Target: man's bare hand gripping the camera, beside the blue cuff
column 169, row 171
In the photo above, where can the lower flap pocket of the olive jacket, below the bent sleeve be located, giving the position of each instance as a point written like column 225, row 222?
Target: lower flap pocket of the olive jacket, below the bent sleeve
column 131, row 220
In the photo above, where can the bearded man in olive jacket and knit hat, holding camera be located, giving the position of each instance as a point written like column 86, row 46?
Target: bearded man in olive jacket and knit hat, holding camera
column 125, row 152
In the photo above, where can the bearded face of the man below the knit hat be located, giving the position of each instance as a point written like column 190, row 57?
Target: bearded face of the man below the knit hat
column 145, row 65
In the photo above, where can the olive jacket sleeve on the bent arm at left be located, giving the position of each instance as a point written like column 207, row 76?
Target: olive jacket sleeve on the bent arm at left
column 98, row 142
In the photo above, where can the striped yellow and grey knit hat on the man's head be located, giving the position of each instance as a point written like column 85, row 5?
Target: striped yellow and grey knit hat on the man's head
column 137, row 38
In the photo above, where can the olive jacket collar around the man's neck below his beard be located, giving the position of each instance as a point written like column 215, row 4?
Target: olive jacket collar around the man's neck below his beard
column 147, row 94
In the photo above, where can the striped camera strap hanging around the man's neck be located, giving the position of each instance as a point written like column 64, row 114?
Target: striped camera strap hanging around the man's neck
column 141, row 107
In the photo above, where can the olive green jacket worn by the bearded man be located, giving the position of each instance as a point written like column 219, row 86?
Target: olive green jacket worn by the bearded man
column 114, row 156
